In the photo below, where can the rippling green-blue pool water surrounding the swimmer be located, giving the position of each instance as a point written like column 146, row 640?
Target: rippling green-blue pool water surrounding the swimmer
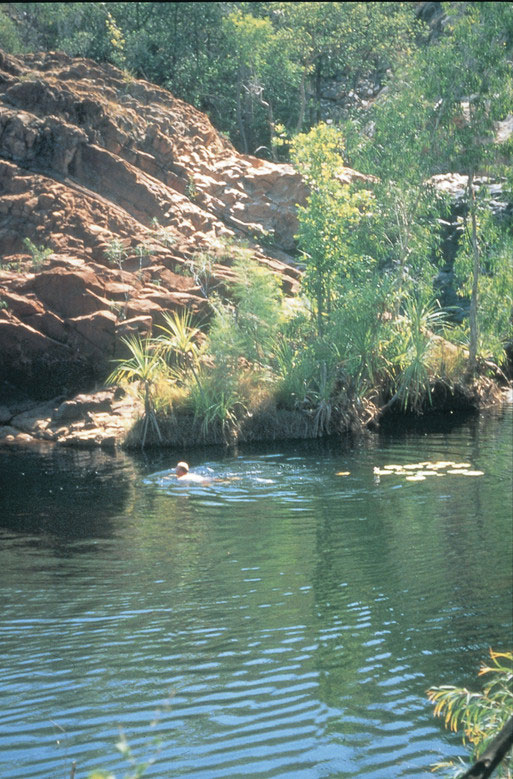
column 284, row 623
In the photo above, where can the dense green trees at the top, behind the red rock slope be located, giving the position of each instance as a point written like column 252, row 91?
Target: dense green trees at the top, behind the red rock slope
column 251, row 66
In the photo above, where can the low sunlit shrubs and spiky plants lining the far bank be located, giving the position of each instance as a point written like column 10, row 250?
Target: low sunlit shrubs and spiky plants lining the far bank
column 329, row 361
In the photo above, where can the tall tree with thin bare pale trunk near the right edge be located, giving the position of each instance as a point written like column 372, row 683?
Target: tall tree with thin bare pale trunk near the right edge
column 467, row 81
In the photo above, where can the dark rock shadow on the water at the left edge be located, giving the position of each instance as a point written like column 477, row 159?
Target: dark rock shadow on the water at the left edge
column 66, row 494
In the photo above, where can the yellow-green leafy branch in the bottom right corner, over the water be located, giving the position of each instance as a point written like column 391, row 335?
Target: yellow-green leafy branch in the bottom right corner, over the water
column 480, row 715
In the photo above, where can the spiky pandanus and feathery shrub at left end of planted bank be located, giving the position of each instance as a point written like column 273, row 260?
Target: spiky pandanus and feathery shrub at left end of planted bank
column 218, row 378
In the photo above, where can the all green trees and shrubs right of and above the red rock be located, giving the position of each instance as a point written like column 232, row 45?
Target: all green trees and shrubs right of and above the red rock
column 372, row 329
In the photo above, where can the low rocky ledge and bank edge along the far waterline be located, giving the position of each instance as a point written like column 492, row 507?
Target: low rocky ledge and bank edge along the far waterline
column 111, row 419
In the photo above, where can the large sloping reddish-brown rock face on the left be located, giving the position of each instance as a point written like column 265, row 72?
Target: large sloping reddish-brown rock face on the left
column 88, row 156
